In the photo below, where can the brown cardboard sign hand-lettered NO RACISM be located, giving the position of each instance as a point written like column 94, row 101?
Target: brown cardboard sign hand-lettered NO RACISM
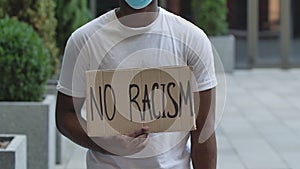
column 122, row 101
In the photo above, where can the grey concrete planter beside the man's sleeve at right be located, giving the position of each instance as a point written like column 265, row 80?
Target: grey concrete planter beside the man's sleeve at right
column 225, row 47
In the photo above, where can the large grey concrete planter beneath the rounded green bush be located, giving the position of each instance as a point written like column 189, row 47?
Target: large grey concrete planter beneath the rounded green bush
column 35, row 120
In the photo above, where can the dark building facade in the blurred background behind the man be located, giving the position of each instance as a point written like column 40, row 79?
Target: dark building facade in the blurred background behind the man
column 267, row 31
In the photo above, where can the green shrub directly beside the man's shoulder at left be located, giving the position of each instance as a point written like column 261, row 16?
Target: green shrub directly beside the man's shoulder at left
column 70, row 14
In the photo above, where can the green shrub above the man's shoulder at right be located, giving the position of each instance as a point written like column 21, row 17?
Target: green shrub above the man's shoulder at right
column 210, row 15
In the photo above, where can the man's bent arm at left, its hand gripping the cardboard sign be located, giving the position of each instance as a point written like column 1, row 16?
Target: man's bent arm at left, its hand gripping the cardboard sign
column 70, row 123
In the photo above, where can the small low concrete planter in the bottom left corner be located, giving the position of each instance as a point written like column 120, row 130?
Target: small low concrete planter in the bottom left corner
column 14, row 155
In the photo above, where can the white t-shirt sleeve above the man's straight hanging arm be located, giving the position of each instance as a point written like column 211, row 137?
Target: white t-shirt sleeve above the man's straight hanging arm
column 201, row 59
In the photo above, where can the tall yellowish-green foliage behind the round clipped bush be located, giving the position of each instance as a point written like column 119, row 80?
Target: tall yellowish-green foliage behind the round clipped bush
column 40, row 14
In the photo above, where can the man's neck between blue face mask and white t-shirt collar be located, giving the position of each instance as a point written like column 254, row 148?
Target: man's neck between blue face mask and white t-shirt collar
column 137, row 17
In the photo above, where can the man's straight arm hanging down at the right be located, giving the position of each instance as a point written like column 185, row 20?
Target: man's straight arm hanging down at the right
column 204, row 155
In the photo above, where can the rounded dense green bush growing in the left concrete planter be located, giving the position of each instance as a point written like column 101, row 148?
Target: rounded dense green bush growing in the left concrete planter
column 24, row 62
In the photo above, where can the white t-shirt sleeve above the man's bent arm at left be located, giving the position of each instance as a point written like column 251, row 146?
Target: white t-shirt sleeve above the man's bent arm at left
column 74, row 65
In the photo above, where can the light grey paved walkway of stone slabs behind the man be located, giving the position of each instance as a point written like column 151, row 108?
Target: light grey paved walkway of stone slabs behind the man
column 260, row 128
